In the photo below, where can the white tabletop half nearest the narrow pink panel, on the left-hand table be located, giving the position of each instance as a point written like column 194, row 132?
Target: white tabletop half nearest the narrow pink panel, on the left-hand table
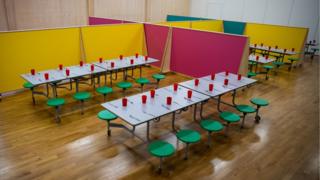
column 125, row 62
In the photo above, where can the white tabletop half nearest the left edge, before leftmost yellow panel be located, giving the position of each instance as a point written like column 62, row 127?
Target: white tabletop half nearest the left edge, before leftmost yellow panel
column 59, row 75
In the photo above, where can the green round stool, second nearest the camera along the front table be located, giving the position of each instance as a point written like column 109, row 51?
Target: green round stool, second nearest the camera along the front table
column 188, row 136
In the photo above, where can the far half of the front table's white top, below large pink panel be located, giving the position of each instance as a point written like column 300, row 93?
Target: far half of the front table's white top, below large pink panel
column 218, row 84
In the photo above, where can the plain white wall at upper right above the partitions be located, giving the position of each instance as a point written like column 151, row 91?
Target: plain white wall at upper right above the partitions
column 299, row 13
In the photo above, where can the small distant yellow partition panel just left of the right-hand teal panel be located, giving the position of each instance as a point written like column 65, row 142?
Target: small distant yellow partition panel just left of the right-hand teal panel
column 210, row 25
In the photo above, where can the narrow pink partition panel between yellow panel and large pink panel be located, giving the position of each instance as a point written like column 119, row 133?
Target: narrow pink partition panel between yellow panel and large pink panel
column 156, row 37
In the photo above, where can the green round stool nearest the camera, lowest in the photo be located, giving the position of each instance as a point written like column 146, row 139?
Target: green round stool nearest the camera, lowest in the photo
column 160, row 149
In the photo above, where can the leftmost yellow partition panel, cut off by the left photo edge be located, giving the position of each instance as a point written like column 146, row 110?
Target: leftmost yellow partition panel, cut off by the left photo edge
column 39, row 49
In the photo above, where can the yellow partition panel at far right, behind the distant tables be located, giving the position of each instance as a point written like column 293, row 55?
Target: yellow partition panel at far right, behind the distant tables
column 272, row 35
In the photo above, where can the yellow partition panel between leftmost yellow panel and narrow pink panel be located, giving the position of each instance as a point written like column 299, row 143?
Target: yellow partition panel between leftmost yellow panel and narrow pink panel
column 110, row 41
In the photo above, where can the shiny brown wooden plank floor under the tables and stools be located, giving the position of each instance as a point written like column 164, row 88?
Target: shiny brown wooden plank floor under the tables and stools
column 283, row 146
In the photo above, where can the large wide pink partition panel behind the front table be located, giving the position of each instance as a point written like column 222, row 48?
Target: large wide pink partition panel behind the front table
column 199, row 53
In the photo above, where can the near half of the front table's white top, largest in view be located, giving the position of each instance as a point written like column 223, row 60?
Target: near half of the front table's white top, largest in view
column 136, row 113
